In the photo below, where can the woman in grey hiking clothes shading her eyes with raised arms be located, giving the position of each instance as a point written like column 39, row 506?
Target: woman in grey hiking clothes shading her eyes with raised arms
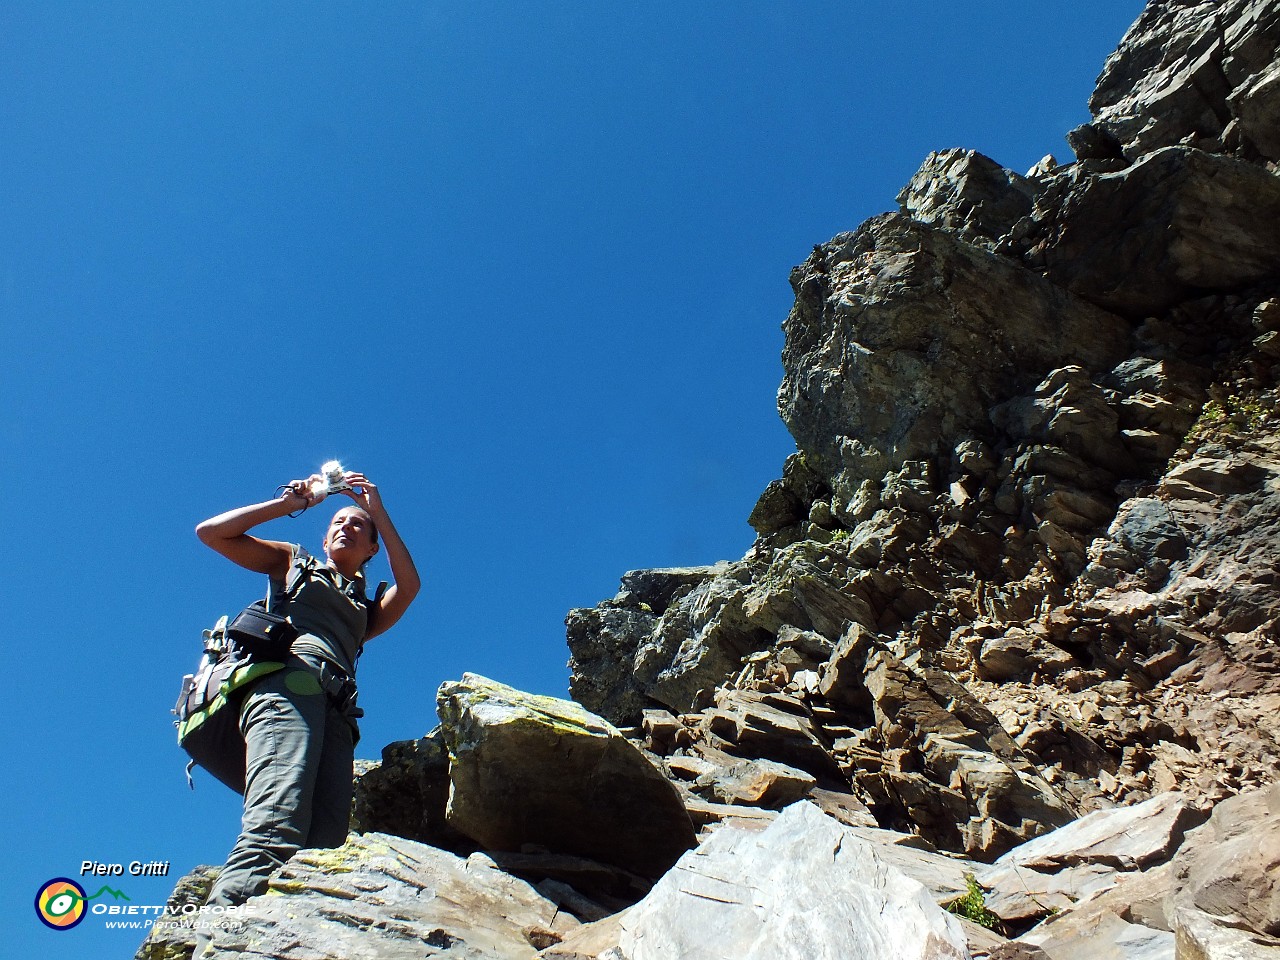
column 300, row 724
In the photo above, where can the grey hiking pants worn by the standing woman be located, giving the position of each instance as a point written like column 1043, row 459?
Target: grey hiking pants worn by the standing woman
column 299, row 785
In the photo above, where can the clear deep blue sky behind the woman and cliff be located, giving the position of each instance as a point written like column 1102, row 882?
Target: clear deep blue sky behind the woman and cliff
column 524, row 266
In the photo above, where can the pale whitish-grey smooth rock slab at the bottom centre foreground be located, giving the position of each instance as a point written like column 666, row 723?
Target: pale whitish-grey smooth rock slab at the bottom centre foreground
column 803, row 888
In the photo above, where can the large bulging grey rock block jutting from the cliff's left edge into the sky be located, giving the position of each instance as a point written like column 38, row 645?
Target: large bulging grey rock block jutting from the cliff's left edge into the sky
column 897, row 350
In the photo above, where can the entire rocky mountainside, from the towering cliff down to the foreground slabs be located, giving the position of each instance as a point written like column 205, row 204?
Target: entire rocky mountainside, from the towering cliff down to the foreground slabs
column 1008, row 634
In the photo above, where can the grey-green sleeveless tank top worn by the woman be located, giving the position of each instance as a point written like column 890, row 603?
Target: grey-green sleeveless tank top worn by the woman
column 330, row 611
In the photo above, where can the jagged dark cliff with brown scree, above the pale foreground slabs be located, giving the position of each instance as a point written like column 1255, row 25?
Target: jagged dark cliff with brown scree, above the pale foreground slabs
column 1021, row 566
